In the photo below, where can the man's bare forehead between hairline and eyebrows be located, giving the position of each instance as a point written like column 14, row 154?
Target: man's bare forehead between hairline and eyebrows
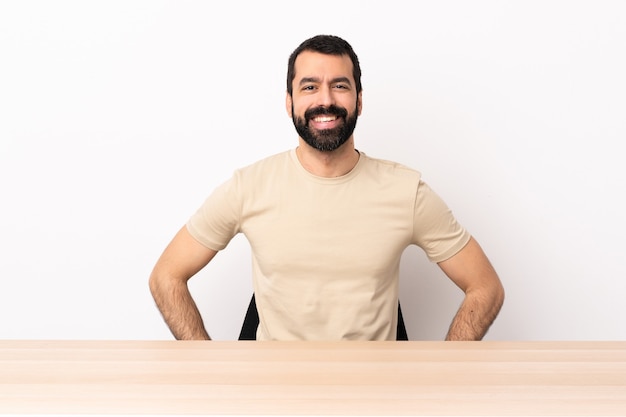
column 311, row 64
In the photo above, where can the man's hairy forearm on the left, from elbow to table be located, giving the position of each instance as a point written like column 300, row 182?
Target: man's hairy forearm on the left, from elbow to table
column 178, row 309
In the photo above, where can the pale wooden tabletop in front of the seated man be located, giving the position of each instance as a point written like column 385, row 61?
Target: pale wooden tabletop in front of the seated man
column 312, row 378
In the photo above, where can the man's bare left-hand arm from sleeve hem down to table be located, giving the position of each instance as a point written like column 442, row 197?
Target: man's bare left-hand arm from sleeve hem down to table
column 181, row 260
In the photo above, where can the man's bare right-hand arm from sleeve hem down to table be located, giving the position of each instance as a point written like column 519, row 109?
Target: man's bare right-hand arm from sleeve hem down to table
column 471, row 271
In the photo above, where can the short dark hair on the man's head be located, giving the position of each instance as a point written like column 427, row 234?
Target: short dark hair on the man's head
column 329, row 45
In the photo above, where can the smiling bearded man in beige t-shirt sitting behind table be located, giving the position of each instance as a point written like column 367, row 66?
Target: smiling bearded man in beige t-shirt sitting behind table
column 327, row 225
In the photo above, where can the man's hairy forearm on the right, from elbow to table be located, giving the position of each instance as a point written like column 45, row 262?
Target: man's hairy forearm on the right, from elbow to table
column 475, row 316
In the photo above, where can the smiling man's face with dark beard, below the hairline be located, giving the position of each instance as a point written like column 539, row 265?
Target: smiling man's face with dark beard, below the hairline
column 324, row 106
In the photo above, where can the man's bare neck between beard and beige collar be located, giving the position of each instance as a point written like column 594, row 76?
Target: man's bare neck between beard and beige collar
column 328, row 164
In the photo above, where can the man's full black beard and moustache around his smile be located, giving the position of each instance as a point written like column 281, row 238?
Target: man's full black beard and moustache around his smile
column 326, row 140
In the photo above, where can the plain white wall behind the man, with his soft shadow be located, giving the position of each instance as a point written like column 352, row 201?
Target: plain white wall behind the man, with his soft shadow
column 117, row 118
